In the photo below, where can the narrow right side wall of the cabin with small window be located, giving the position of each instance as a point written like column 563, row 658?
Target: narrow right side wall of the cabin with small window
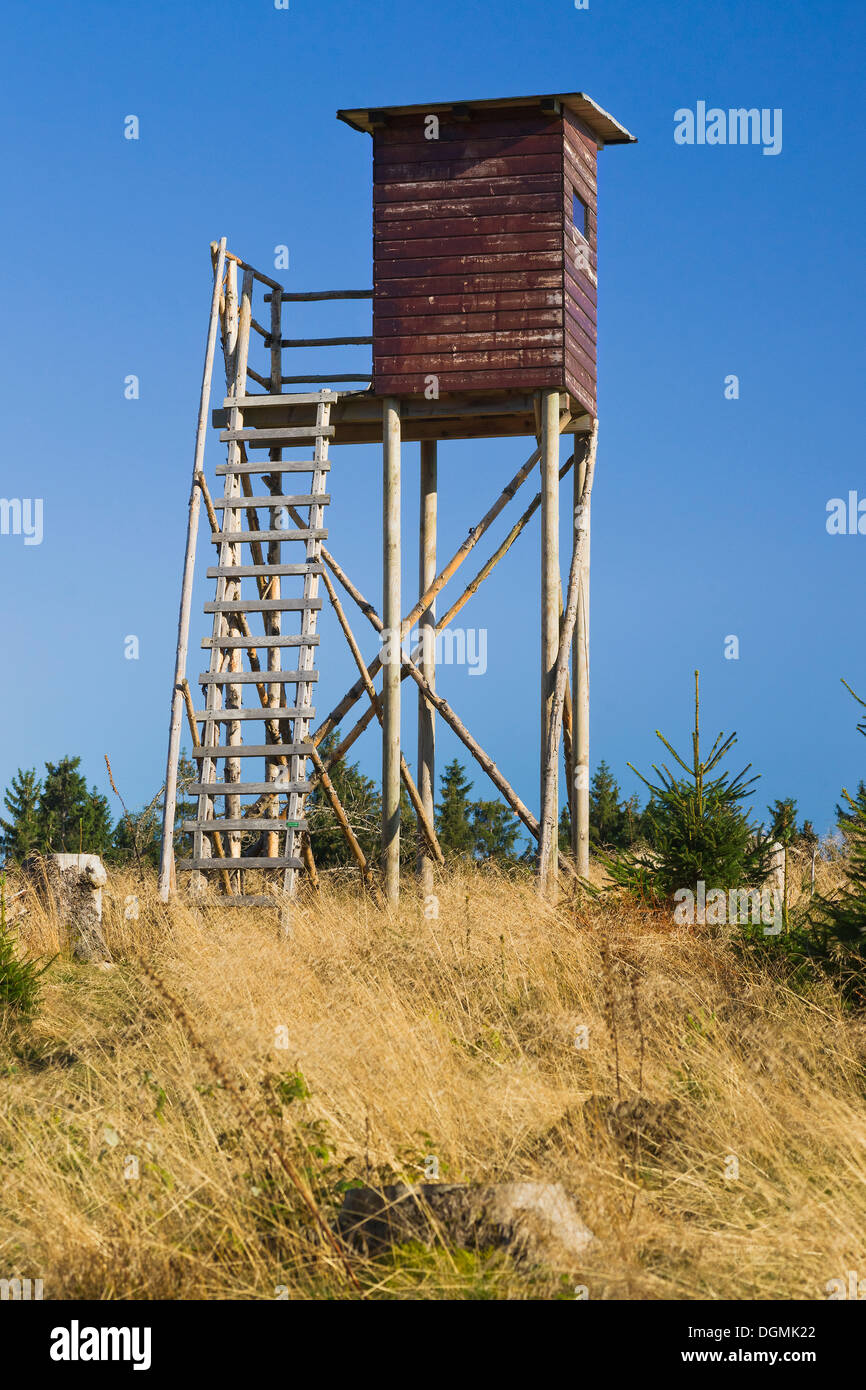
column 580, row 297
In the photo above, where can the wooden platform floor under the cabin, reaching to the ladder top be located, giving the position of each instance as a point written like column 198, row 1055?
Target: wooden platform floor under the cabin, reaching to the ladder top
column 358, row 418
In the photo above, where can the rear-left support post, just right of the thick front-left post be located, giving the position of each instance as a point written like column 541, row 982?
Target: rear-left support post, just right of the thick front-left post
column 427, row 623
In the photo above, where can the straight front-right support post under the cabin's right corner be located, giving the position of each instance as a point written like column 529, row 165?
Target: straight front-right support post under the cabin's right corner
column 551, row 582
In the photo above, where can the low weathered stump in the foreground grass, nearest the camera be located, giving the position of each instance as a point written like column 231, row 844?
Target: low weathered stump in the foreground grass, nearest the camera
column 536, row 1223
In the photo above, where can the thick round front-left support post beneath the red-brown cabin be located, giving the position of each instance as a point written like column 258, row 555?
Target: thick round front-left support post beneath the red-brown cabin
column 391, row 650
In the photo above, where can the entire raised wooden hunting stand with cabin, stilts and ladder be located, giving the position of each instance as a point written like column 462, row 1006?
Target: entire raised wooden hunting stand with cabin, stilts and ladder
column 484, row 325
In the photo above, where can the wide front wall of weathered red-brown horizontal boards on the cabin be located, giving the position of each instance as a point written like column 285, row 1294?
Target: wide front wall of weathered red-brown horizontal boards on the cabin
column 469, row 279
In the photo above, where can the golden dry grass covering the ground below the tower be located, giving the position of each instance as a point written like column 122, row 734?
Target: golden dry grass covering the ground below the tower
column 451, row 1038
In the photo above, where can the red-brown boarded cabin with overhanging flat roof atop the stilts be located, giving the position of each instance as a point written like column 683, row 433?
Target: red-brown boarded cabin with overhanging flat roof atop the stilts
column 484, row 245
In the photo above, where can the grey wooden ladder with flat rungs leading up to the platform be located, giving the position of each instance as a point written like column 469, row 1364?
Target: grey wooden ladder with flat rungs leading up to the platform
column 219, row 843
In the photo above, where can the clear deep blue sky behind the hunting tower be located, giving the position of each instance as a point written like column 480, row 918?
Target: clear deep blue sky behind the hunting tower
column 710, row 515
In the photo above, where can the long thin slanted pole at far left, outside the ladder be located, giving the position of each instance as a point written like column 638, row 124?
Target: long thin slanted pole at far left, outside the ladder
column 190, row 564
